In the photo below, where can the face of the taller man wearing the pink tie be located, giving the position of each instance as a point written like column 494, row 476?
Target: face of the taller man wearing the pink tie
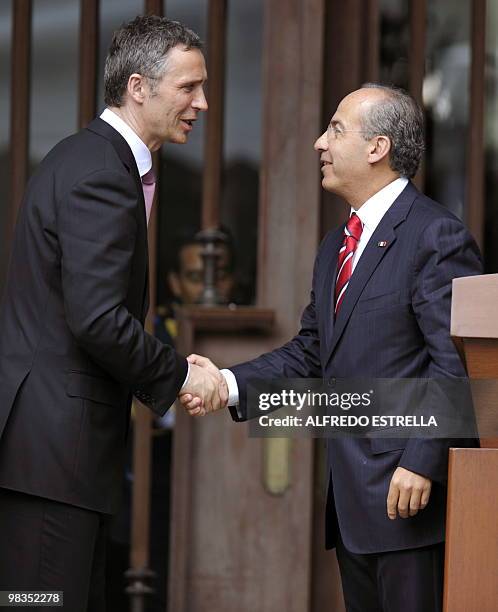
column 174, row 102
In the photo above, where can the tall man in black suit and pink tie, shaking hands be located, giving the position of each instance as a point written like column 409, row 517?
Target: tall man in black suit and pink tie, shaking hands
column 73, row 350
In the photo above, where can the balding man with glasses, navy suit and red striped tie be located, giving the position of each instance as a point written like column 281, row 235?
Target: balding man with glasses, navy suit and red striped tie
column 379, row 308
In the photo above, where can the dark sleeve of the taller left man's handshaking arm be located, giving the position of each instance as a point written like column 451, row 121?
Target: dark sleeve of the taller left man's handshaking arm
column 97, row 228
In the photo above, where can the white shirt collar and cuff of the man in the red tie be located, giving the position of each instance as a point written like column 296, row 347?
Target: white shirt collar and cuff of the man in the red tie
column 370, row 213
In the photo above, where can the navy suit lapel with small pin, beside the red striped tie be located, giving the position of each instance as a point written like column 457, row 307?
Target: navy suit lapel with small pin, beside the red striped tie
column 369, row 260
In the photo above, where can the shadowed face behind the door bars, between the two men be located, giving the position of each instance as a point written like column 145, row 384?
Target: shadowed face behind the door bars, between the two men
column 187, row 284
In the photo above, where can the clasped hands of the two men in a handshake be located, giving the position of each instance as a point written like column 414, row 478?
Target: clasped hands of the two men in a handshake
column 206, row 389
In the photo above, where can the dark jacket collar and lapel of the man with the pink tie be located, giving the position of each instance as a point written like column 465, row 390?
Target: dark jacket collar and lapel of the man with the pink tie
column 101, row 127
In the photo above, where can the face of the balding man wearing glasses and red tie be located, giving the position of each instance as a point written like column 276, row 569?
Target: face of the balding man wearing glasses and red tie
column 344, row 151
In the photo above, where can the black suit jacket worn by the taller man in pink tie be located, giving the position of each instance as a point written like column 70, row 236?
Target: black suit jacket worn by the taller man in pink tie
column 73, row 348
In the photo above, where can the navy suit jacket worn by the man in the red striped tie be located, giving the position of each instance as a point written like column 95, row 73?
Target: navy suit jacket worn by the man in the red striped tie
column 394, row 322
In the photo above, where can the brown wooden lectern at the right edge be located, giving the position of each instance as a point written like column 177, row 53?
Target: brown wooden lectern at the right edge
column 471, row 563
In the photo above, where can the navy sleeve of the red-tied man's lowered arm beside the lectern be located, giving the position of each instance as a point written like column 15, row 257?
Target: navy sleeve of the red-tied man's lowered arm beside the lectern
column 446, row 251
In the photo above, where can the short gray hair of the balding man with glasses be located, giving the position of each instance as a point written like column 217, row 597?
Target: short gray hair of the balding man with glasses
column 400, row 118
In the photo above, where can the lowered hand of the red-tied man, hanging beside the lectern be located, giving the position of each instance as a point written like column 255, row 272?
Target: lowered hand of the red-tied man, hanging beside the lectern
column 408, row 493
